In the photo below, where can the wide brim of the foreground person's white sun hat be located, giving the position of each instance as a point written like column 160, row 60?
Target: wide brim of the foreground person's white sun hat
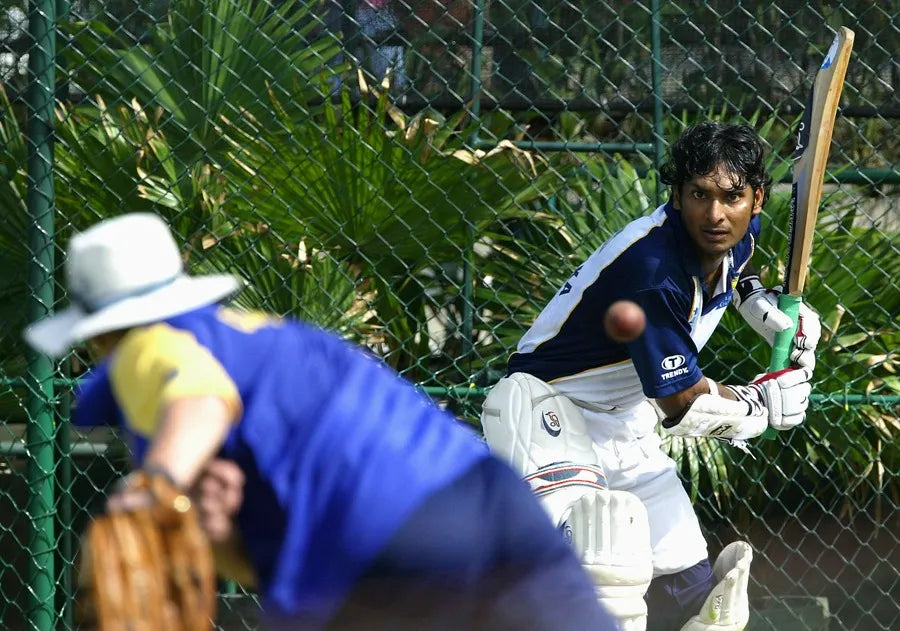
column 56, row 334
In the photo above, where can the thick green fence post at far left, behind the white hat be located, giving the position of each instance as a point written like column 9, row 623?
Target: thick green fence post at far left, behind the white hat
column 40, row 199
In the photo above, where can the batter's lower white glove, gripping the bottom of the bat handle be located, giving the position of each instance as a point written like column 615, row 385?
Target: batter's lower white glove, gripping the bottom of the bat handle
column 784, row 394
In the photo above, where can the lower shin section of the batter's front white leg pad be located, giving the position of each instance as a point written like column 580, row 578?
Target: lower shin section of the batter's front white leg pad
column 610, row 532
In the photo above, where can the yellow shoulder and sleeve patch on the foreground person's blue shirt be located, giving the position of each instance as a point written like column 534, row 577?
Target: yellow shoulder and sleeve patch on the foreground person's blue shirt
column 157, row 364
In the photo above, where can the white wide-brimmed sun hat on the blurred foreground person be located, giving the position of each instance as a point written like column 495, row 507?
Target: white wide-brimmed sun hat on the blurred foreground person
column 121, row 273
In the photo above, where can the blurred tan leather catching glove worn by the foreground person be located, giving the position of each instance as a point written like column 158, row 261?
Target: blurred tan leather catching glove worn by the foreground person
column 146, row 563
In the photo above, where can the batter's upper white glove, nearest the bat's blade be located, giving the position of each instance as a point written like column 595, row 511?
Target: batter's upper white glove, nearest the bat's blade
column 759, row 307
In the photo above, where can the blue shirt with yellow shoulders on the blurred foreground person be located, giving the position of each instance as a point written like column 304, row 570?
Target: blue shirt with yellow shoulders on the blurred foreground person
column 337, row 448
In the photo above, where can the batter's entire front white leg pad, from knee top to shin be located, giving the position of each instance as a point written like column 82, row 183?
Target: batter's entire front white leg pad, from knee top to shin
column 543, row 435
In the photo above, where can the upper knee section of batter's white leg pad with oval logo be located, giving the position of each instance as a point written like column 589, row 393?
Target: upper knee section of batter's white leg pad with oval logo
column 543, row 436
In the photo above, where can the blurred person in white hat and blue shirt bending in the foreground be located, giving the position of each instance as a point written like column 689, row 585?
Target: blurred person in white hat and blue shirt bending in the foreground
column 347, row 498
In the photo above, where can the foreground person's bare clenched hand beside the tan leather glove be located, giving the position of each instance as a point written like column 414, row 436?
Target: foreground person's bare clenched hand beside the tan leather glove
column 218, row 494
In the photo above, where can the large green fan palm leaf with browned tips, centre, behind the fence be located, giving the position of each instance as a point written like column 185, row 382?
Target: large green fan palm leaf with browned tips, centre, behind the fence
column 398, row 199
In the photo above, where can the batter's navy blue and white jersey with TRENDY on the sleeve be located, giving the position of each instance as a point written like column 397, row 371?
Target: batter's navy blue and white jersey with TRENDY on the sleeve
column 653, row 263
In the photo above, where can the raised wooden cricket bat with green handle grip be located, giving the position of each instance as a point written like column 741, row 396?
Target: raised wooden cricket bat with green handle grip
column 810, row 158
